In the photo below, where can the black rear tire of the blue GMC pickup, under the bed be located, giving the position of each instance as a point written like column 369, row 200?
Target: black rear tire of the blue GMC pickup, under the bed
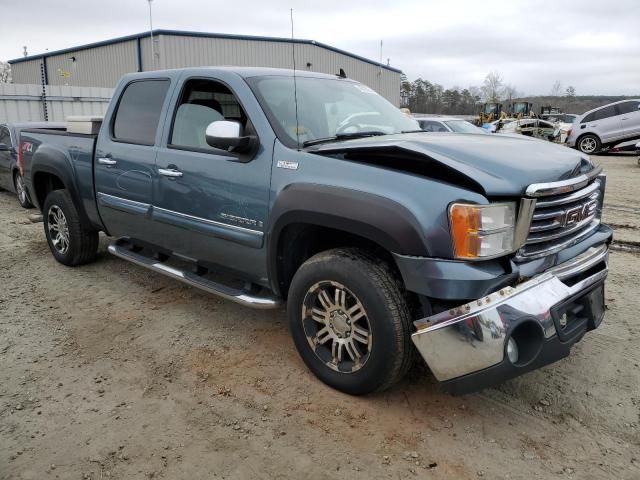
column 82, row 242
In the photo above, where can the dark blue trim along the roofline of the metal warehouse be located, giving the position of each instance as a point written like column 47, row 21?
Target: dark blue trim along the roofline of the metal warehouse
column 181, row 33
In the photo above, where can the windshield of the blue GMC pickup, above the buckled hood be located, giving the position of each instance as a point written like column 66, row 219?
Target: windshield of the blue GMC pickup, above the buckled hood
column 327, row 108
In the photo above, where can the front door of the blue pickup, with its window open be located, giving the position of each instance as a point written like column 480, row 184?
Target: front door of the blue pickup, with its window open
column 211, row 205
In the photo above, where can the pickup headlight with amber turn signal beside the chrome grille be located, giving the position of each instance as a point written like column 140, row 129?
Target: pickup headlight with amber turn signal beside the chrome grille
column 482, row 231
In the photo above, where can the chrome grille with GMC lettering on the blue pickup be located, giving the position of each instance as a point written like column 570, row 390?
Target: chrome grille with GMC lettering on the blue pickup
column 562, row 220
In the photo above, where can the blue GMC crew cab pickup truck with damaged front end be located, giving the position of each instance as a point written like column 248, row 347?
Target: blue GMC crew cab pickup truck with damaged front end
column 484, row 254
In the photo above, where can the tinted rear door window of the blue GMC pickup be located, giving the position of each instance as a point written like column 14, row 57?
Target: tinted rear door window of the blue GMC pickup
column 139, row 110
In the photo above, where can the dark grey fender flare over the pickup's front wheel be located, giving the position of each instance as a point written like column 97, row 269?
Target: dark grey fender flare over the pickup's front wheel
column 376, row 218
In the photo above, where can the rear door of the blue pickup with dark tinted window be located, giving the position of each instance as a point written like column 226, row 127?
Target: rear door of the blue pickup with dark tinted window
column 125, row 158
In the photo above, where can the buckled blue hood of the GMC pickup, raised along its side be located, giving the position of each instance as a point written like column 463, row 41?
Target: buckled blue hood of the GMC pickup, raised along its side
column 494, row 165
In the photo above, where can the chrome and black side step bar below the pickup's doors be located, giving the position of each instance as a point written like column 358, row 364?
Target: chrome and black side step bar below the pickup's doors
column 120, row 248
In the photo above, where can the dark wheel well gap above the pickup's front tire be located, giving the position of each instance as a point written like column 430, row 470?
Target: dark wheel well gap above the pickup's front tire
column 300, row 241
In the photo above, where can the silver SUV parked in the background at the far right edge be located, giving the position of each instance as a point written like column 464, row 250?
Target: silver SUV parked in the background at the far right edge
column 605, row 126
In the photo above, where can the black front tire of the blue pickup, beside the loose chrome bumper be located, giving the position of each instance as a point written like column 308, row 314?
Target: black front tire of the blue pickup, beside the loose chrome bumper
column 370, row 282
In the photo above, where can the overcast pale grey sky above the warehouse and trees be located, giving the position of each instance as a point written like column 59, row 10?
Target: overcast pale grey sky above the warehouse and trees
column 593, row 45
